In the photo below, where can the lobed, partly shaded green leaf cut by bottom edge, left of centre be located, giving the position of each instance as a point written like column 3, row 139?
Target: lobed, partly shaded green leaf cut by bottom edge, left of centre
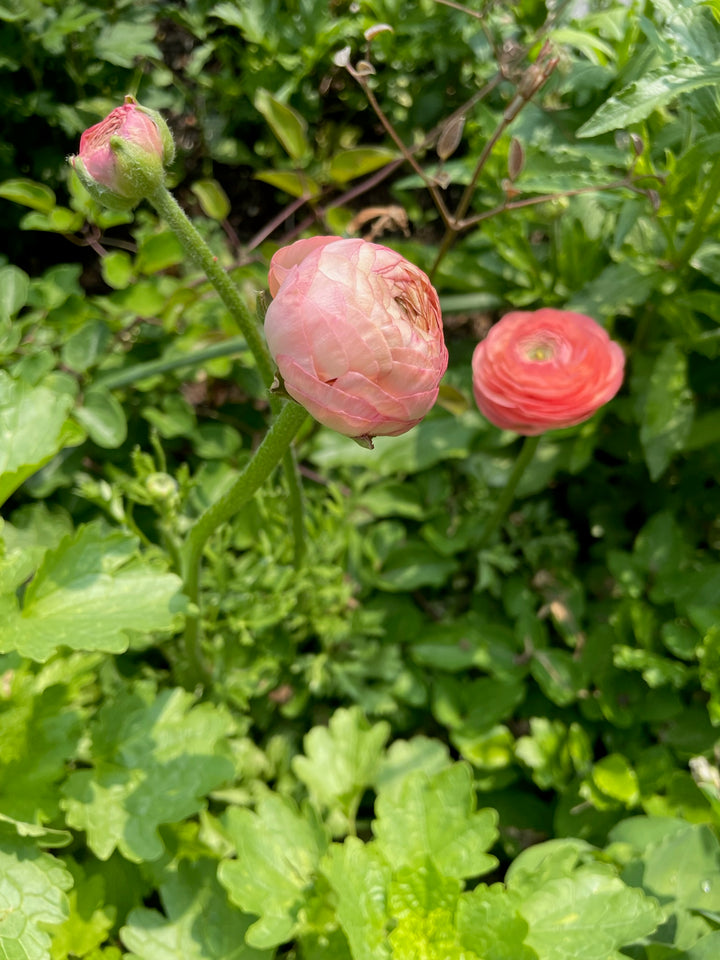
column 198, row 924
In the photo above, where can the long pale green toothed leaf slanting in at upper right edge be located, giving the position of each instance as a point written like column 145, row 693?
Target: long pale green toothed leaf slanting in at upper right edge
column 656, row 89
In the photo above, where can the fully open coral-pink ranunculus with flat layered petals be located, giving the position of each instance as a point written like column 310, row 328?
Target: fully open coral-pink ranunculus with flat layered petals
column 542, row 370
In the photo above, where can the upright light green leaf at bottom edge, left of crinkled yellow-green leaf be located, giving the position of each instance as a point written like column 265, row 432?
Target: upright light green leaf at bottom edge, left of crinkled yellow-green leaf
column 360, row 878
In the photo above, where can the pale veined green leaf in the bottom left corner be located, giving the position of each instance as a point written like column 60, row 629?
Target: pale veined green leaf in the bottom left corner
column 32, row 897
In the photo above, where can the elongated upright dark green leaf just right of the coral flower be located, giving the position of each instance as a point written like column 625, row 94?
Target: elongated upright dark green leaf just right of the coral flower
column 668, row 410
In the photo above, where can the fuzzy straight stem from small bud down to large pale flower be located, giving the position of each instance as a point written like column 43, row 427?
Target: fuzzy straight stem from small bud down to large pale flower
column 196, row 248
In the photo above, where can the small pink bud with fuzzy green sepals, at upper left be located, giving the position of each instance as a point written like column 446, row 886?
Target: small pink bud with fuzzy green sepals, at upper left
column 122, row 158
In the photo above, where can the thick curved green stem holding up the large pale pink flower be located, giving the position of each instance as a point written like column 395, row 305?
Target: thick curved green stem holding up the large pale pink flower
column 270, row 452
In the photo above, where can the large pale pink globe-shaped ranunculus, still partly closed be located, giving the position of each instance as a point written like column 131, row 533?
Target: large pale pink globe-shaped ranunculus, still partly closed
column 356, row 332
